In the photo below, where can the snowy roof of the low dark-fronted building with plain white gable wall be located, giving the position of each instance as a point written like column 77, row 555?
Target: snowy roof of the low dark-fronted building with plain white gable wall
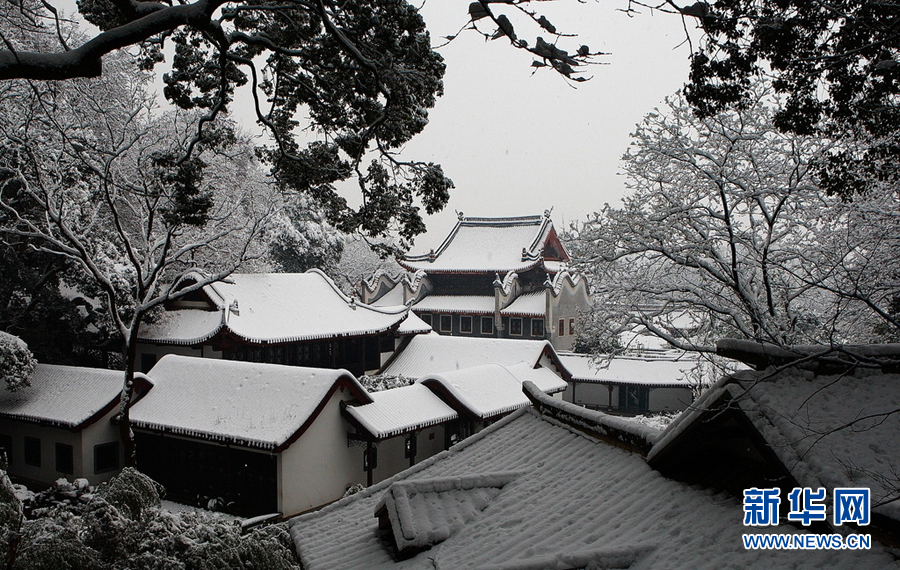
column 251, row 404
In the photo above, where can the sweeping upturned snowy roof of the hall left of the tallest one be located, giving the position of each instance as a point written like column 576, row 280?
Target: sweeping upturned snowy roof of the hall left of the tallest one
column 273, row 307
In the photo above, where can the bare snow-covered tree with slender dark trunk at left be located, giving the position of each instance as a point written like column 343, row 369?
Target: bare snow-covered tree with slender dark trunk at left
column 89, row 172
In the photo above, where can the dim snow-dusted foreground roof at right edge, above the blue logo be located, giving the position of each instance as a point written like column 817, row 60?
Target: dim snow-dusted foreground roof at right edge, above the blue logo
column 826, row 430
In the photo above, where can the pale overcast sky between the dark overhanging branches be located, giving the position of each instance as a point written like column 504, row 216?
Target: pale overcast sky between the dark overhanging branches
column 516, row 142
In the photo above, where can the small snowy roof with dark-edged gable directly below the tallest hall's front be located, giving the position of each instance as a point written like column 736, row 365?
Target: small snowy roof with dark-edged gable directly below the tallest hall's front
column 491, row 390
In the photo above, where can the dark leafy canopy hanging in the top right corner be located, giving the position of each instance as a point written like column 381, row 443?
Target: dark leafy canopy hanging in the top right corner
column 835, row 62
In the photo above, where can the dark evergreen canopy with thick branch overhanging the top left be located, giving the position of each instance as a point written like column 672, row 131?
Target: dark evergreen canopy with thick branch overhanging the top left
column 358, row 77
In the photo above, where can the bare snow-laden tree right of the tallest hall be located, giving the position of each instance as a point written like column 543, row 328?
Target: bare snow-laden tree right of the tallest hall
column 725, row 233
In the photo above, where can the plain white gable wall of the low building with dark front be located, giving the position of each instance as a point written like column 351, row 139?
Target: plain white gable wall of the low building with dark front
column 319, row 467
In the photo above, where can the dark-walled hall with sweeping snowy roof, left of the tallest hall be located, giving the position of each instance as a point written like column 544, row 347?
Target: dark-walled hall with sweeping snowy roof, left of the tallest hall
column 297, row 319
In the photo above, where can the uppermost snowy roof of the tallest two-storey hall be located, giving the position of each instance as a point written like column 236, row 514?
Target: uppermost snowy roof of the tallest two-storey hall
column 488, row 245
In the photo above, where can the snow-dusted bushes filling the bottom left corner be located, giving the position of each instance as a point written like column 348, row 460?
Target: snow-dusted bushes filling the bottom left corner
column 121, row 525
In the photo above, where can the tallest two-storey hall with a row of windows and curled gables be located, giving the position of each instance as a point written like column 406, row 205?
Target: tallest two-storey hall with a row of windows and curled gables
column 491, row 278
